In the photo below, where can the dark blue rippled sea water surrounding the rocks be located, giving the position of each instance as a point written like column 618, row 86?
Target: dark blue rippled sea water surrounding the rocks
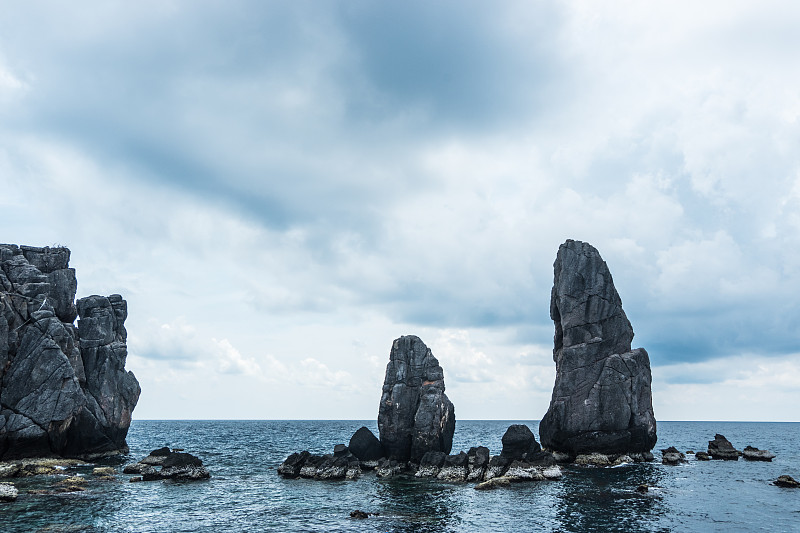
column 246, row 494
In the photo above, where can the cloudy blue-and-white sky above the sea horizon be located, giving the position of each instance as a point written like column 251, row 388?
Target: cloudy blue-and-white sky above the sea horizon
column 280, row 189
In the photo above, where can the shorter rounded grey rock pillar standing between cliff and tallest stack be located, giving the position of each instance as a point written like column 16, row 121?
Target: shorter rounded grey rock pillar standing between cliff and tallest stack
column 415, row 416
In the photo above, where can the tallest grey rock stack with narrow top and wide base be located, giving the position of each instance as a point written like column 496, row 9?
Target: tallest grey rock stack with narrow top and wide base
column 601, row 398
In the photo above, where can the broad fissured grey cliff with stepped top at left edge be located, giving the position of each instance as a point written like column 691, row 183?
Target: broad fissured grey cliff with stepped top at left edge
column 63, row 389
